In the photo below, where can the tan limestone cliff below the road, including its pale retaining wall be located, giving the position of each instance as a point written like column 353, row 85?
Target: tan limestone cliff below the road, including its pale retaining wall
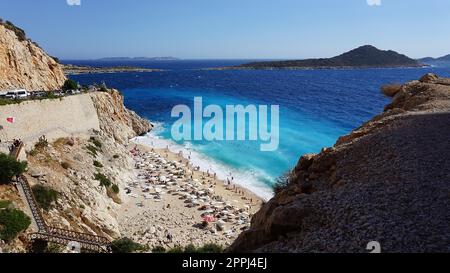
column 87, row 135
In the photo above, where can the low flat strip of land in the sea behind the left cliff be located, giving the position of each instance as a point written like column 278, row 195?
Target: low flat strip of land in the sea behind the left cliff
column 70, row 69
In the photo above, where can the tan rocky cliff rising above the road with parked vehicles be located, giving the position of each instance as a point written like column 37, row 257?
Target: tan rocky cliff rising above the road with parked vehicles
column 25, row 65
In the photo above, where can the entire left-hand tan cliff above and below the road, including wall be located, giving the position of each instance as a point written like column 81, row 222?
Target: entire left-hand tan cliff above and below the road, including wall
column 85, row 158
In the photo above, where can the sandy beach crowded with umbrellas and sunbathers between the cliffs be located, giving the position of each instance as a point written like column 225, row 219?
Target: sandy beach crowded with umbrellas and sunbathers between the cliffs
column 172, row 203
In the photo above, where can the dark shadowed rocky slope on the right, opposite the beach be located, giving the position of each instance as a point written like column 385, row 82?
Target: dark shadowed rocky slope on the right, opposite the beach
column 388, row 181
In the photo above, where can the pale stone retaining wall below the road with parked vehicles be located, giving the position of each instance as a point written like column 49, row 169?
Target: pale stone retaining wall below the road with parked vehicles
column 69, row 116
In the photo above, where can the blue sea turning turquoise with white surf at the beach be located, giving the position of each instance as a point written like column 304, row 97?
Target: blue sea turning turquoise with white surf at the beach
column 316, row 107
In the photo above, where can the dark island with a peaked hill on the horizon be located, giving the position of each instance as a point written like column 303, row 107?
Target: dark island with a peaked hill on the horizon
column 362, row 57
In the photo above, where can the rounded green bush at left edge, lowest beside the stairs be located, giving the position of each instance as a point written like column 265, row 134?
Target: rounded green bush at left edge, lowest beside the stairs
column 12, row 222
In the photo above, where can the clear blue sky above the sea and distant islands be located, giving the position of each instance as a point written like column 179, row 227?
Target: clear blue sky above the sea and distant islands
column 231, row 29
